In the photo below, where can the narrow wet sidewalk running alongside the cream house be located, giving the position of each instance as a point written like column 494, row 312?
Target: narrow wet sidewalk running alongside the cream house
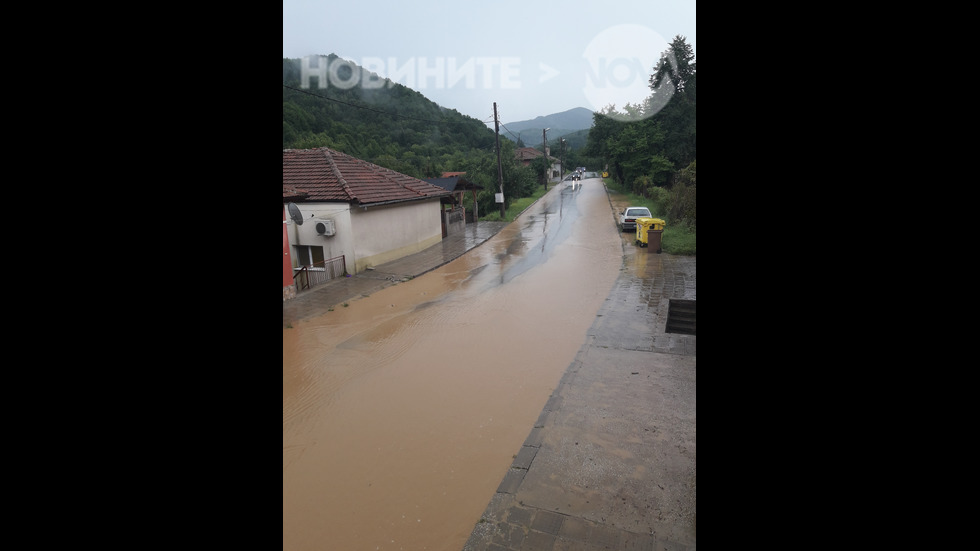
column 318, row 300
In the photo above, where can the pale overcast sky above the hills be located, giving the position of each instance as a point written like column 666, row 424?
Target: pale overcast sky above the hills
column 531, row 58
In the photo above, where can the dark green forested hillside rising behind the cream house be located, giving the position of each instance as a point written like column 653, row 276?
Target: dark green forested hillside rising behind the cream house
column 396, row 127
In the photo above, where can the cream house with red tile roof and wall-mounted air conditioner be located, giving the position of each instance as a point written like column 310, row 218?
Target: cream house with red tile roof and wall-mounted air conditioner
column 352, row 212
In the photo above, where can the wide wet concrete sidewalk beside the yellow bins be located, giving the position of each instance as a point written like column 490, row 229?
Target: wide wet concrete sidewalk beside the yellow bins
column 611, row 462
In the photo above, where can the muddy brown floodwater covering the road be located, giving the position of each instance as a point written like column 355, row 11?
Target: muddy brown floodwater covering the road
column 402, row 412
